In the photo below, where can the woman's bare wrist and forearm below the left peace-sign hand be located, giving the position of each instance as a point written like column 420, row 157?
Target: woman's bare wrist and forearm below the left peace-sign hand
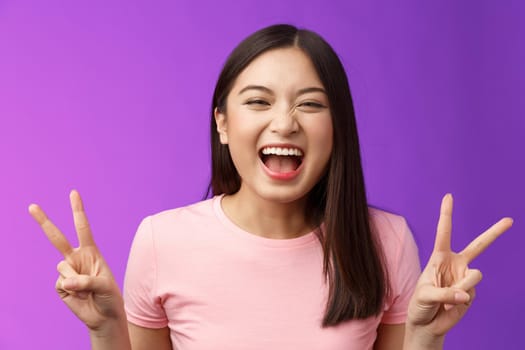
column 112, row 336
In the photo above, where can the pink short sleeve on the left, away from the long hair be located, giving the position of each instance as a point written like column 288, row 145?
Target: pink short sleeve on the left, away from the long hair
column 143, row 307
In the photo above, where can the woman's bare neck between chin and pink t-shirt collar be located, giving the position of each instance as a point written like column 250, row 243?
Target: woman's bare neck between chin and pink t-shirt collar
column 266, row 218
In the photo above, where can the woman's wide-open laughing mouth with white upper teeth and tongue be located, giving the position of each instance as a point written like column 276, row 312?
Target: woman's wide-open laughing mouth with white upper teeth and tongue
column 281, row 160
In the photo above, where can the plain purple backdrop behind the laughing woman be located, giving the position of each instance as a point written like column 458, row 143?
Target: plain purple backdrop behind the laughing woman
column 112, row 98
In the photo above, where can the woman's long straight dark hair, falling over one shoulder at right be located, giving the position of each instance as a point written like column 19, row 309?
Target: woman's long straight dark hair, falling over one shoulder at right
column 353, row 258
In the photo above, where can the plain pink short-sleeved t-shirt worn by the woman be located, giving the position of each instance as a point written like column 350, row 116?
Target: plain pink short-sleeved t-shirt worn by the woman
column 219, row 287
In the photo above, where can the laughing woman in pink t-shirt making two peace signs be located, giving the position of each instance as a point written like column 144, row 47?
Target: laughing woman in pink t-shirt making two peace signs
column 286, row 254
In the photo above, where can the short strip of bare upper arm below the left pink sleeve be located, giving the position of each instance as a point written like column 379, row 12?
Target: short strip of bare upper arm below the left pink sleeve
column 149, row 338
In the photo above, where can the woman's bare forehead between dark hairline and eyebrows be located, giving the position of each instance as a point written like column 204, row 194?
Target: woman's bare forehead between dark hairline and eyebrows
column 280, row 69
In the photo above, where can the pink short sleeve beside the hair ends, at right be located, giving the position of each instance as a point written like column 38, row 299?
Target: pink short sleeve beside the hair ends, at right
column 404, row 270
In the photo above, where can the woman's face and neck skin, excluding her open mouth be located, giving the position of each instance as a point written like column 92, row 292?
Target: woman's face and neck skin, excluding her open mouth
column 277, row 99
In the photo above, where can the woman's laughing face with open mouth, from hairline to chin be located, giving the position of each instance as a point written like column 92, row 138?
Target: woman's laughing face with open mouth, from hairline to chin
column 277, row 125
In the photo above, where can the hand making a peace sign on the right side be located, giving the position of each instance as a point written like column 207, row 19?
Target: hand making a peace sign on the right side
column 445, row 289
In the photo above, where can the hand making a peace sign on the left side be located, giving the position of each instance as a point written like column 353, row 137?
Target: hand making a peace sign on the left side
column 85, row 282
